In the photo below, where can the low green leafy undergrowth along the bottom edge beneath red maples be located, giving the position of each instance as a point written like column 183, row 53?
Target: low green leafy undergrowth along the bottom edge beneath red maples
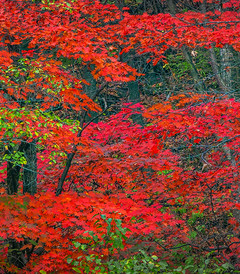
column 184, row 260
